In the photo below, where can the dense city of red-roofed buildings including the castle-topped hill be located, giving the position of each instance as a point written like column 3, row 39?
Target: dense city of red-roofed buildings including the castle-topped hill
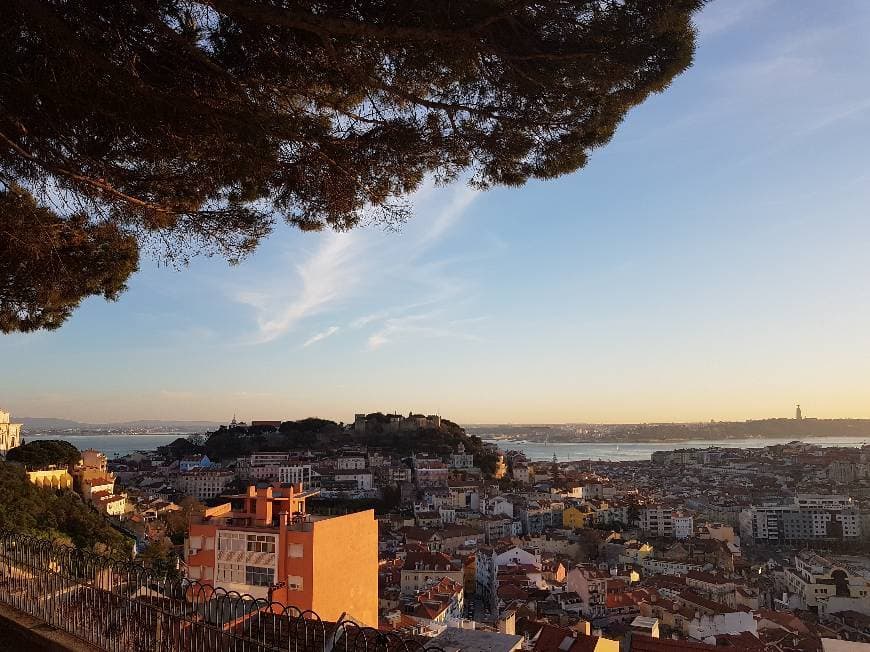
column 472, row 544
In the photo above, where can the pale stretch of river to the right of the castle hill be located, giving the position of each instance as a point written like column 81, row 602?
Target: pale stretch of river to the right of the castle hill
column 641, row 450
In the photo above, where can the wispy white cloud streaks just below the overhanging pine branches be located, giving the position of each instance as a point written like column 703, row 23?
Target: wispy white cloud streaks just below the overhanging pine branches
column 346, row 266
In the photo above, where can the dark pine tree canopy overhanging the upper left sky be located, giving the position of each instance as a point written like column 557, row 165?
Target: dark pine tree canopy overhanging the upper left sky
column 191, row 126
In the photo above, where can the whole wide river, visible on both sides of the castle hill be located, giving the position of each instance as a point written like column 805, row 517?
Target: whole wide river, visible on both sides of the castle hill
column 119, row 445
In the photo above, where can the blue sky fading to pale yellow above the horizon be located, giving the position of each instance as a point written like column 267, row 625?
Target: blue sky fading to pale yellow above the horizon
column 711, row 262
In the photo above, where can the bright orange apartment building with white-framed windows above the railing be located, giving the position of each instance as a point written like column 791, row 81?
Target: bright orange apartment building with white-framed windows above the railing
column 263, row 543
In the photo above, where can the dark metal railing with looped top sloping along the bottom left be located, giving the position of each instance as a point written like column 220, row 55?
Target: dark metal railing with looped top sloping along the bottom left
column 122, row 606
